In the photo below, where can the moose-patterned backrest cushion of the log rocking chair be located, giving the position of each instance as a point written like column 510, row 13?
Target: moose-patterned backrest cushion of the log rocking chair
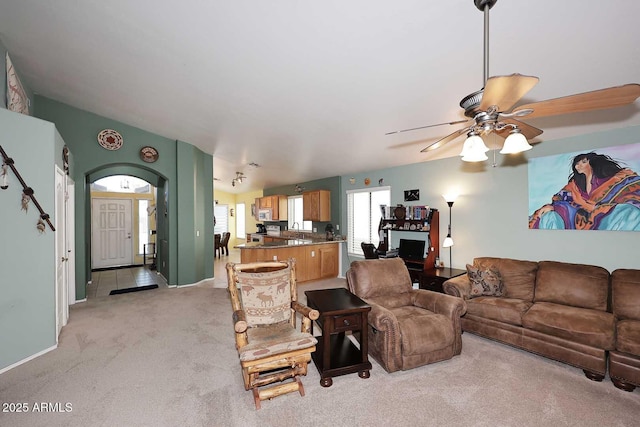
column 266, row 297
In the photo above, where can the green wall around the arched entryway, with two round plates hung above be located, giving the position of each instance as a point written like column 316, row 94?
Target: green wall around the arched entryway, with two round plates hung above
column 181, row 172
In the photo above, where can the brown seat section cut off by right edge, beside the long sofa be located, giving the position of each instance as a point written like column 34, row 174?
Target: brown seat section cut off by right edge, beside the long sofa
column 624, row 361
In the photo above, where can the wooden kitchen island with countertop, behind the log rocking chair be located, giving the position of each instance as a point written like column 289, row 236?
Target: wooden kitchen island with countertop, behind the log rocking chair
column 315, row 258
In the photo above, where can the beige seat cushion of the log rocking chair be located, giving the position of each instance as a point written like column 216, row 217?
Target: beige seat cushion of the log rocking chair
column 274, row 339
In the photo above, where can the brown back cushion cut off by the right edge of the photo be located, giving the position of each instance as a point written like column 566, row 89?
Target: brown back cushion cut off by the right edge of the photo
column 625, row 293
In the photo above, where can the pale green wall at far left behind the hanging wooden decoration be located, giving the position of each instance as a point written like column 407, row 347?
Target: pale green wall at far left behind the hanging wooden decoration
column 27, row 257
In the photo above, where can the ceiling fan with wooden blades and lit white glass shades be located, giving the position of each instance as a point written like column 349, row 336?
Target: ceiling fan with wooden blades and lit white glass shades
column 491, row 109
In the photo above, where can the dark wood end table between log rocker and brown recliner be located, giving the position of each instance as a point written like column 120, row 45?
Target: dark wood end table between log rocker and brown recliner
column 340, row 311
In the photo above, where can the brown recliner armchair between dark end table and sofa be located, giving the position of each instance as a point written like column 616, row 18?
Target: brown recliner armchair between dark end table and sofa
column 407, row 327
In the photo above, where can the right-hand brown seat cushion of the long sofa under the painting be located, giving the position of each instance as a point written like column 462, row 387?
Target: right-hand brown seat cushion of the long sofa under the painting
column 594, row 328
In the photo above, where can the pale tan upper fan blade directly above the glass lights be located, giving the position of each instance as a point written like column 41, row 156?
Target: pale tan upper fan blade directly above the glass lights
column 504, row 91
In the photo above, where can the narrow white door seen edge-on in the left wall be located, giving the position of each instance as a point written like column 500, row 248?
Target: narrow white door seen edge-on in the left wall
column 62, row 277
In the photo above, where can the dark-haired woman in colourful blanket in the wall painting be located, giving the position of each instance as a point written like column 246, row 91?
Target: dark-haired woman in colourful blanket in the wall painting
column 600, row 195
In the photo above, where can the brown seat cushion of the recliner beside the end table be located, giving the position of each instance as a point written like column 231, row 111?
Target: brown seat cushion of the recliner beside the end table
column 423, row 331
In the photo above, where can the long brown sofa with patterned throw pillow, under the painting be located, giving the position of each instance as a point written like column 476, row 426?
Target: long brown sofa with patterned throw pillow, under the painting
column 555, row 309
